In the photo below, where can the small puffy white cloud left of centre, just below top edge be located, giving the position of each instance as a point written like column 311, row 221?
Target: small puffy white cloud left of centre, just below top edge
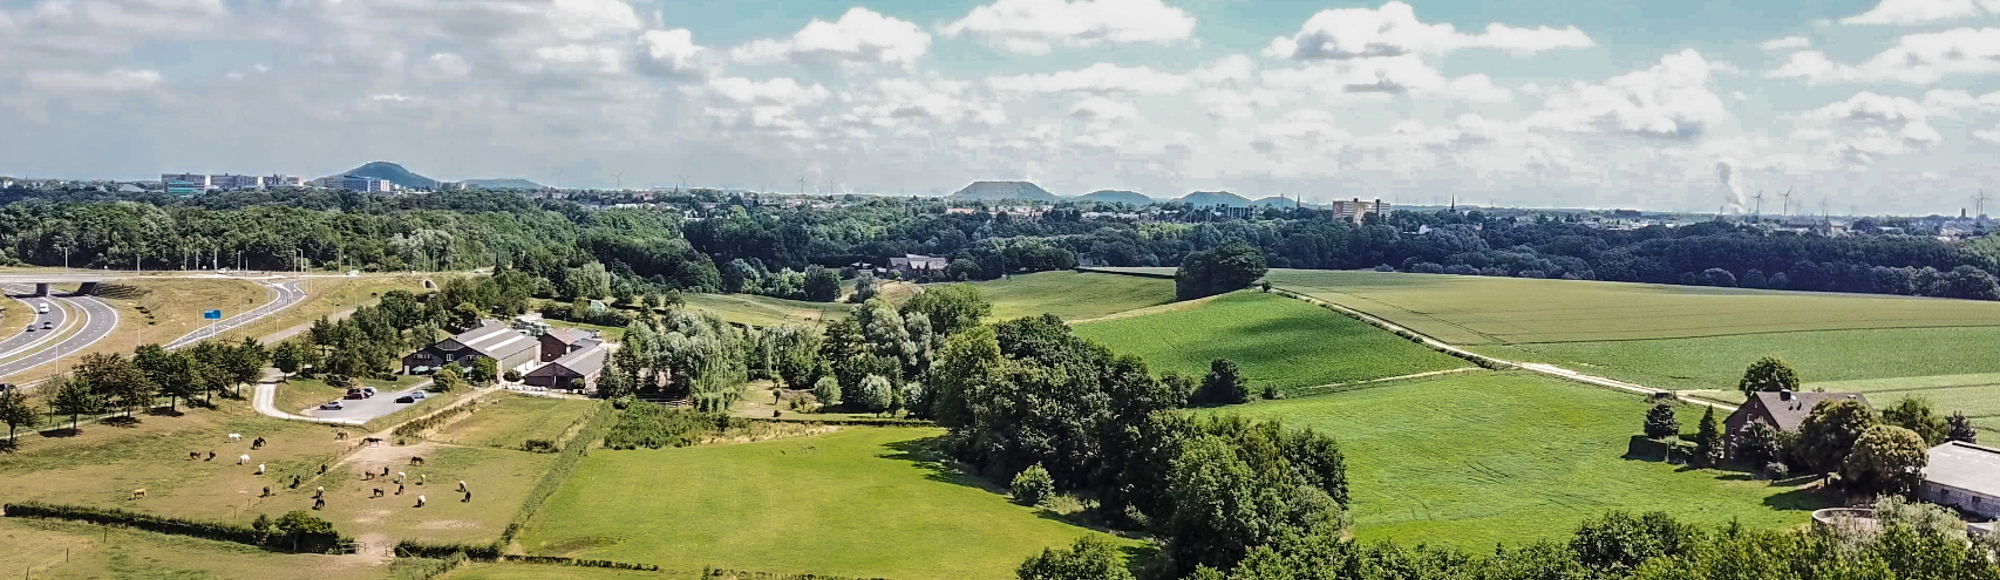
column 859, row 37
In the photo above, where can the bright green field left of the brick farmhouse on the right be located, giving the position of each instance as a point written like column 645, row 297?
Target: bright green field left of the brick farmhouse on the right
column 1503, row 457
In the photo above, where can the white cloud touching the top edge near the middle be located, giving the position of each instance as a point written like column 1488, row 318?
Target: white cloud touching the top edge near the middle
column 1033, row 27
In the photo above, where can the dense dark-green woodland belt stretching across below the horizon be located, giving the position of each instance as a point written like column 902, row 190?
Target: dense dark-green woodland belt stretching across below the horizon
column 745, row 245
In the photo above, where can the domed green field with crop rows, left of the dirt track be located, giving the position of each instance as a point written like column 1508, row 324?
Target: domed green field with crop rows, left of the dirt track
column 1277, row 341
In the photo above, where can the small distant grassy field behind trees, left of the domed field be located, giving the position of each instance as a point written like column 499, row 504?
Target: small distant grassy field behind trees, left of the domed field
column 1073, row 295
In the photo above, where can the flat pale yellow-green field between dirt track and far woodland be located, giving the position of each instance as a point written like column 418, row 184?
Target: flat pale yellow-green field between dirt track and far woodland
column 1515, row 311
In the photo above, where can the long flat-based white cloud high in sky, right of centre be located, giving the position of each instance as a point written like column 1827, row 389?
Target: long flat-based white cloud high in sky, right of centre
column 1395, row 31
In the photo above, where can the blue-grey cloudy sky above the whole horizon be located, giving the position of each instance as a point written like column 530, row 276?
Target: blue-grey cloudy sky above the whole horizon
column 1665, row 105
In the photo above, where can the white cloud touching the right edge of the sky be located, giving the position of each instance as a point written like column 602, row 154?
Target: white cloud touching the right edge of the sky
column 1917, row 59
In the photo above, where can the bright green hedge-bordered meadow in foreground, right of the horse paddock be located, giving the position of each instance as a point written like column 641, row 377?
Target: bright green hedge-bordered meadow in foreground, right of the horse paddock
column 857, row 503
